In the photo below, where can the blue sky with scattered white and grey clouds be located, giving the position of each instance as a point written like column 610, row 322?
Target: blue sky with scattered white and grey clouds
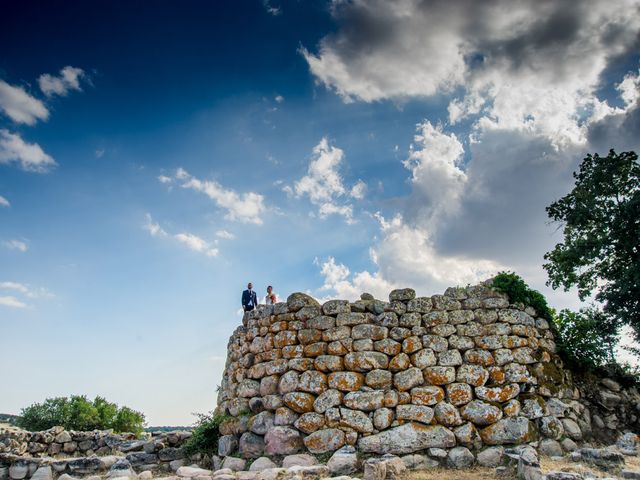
column 156, row 157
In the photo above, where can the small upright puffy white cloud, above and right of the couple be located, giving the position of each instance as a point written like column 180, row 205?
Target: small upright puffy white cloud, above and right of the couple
column 323, row 184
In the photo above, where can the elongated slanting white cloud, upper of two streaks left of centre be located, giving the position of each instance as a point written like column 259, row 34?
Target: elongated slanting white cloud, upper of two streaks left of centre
column 246, row 207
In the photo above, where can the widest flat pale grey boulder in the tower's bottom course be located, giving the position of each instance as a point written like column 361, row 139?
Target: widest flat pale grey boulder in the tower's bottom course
column 407, row 438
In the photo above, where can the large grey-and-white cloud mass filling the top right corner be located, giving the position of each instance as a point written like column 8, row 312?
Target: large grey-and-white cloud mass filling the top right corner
column 533, row 66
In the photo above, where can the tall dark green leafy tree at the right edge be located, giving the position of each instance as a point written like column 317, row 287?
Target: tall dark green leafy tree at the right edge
column 601, row 249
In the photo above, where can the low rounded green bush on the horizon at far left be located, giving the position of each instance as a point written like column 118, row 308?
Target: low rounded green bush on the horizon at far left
column 78, row 413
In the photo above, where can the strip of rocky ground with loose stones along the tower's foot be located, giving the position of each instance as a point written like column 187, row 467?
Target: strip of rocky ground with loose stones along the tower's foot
column 618, row 461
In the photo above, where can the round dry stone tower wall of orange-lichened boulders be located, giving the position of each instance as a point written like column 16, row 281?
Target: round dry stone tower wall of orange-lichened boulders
column 463, row 369
